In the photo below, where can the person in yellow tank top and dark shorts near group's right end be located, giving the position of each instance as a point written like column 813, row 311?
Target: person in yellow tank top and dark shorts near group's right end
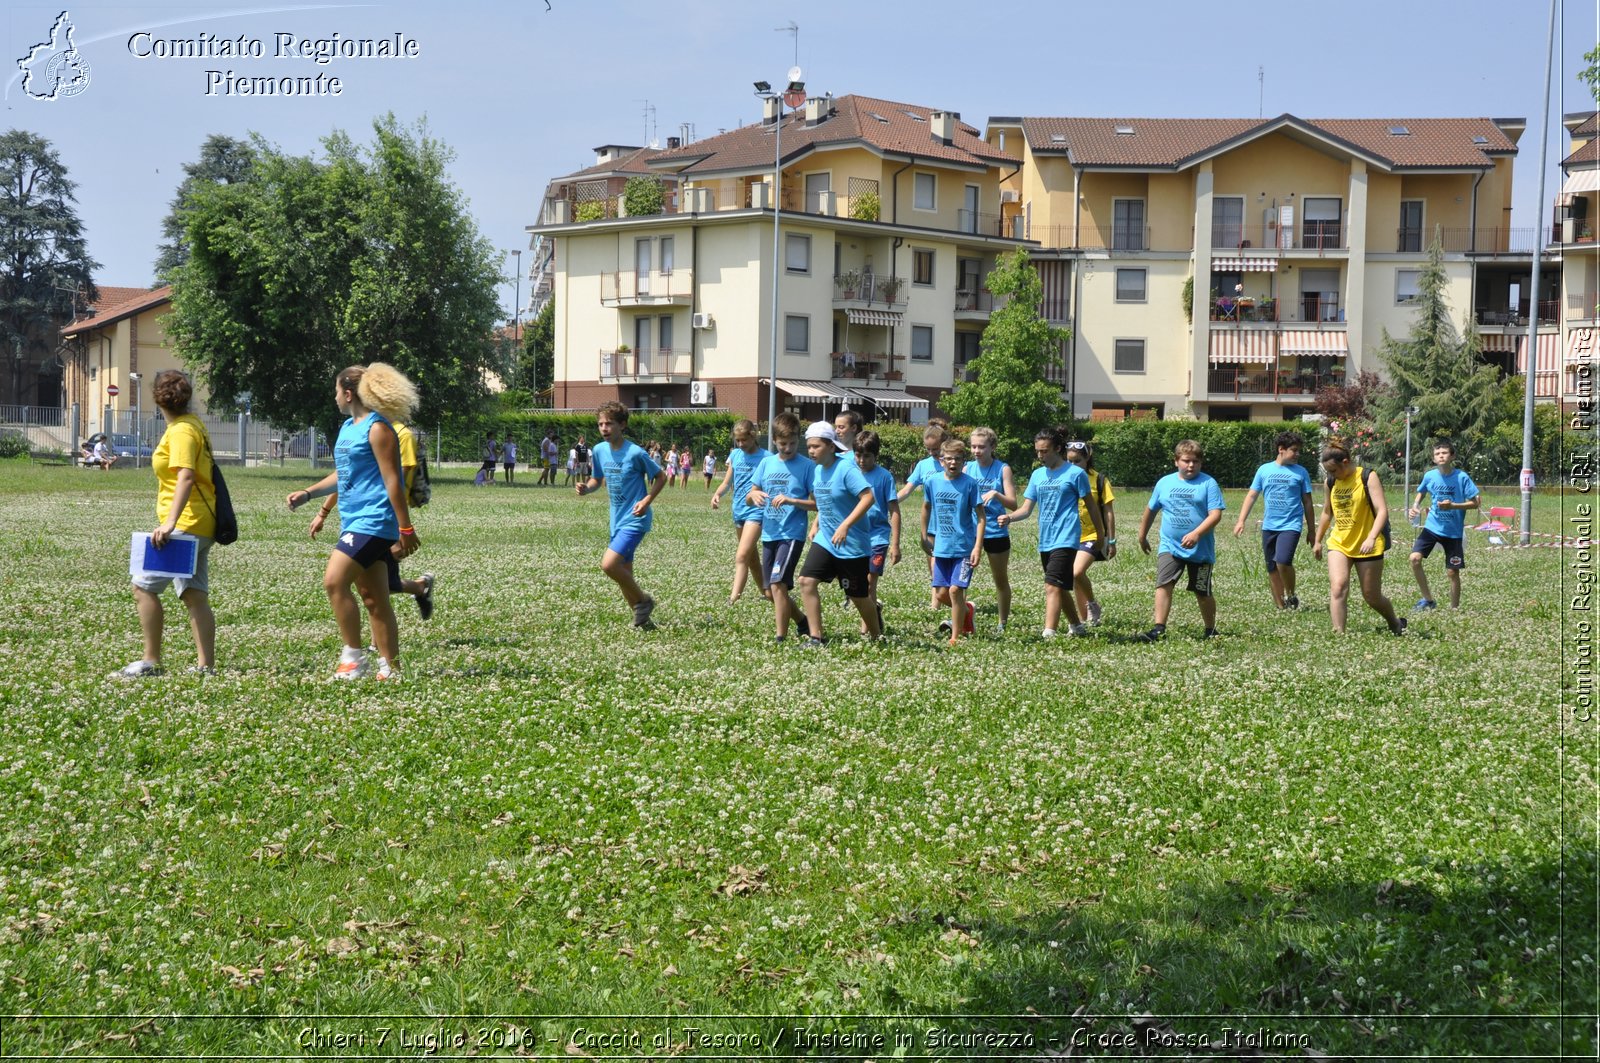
column 1358, row 513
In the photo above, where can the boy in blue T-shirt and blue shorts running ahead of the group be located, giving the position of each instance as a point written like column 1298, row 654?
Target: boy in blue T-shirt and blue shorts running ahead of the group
column 633, row 481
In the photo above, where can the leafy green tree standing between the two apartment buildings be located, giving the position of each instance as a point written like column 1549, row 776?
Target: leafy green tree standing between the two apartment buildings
column 1010, row 393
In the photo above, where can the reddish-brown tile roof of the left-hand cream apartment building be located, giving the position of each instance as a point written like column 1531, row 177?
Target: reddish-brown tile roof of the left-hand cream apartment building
column 882, row 126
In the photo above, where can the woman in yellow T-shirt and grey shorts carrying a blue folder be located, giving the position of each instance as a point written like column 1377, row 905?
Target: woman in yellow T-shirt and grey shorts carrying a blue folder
column 185, row 502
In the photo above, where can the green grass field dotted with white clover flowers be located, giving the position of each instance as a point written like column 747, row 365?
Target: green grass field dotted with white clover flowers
column 564, row 836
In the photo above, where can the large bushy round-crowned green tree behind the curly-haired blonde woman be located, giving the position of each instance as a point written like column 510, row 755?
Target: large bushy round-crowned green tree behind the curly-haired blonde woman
column 364, row 255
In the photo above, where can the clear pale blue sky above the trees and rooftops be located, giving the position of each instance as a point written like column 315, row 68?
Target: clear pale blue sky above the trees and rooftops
column 522, row 94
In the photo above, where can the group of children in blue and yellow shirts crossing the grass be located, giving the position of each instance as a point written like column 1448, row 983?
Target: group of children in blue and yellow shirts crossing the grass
column 846, row 505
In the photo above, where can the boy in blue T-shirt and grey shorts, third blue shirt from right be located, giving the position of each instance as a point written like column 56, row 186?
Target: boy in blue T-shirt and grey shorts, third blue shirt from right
column 1193, row 505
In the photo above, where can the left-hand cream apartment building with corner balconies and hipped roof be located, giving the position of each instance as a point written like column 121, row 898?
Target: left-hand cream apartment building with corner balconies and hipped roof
column 889, row 220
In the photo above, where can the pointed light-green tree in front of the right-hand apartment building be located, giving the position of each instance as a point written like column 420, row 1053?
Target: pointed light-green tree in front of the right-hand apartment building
column 1438, row 371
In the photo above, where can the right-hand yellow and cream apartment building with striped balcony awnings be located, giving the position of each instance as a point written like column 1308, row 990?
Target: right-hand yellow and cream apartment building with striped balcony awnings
column 1228, row 268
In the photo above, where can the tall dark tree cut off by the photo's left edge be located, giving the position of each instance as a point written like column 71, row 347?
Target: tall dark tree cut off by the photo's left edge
column 46, row 268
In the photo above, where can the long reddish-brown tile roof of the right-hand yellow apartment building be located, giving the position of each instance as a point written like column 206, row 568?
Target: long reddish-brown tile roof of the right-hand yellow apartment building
column 1175, row 143
